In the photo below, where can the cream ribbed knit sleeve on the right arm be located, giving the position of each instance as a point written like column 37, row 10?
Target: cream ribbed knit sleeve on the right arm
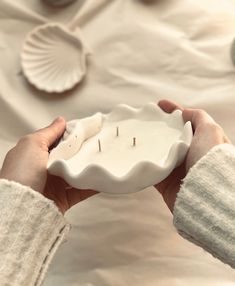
column 204, row 211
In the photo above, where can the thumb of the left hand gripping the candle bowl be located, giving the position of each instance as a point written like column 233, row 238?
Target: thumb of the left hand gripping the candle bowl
column 52, row 132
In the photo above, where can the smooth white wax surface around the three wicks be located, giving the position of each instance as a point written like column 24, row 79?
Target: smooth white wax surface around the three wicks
column 118, row 155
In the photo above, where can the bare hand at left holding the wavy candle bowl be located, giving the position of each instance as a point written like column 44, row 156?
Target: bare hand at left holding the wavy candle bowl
column 26, row 163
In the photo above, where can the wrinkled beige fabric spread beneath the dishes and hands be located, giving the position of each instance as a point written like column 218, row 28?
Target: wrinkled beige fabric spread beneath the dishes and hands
column 142, row 51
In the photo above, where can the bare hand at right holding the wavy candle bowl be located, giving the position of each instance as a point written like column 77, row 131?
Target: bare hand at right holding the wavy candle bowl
column 207, row 134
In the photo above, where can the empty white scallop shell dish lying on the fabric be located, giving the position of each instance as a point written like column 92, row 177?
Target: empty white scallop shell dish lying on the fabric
column 54, row 58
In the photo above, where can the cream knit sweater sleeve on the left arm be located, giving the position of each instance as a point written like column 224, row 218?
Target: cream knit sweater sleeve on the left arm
column 31, row 230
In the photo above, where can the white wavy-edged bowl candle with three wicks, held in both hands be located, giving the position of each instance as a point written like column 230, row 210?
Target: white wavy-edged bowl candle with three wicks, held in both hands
column 124, row 151
